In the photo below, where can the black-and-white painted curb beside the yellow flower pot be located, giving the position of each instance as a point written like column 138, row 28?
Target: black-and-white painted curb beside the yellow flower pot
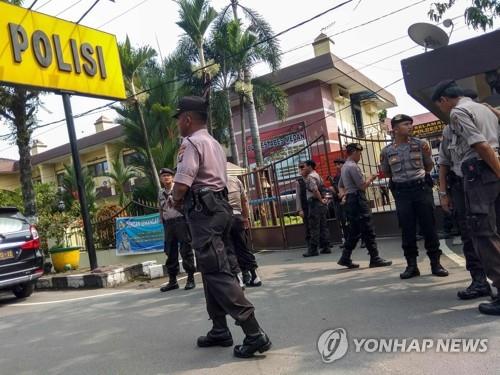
column 106, row 277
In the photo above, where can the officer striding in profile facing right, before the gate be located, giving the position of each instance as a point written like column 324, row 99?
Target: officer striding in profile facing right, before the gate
column 359, row 216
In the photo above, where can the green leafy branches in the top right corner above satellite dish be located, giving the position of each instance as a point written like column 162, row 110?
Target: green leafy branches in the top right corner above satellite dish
column 480, row 14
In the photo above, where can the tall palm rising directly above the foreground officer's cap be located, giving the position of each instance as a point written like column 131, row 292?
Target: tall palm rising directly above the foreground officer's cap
column 195, row 19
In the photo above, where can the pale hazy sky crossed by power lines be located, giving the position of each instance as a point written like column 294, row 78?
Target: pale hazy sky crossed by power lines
column 153, row 22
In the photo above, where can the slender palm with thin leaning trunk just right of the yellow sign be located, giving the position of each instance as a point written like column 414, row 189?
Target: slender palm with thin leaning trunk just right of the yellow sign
column 133, row 60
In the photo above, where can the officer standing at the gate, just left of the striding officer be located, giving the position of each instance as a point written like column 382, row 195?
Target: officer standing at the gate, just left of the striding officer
column 317, row 205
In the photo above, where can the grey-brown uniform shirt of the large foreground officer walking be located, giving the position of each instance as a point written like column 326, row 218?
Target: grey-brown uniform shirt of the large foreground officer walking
column 201, row 162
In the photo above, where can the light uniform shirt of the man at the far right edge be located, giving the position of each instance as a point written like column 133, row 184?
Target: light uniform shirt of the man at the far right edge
column 473, row 123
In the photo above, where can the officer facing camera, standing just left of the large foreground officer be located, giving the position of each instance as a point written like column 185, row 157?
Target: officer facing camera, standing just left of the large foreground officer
column 177, row 237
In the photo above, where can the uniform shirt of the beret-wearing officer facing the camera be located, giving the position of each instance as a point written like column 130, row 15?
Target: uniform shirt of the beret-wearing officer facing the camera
column 406, row 162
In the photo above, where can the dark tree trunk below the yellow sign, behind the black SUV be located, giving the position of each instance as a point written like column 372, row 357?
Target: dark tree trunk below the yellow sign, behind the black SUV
column 23, row 138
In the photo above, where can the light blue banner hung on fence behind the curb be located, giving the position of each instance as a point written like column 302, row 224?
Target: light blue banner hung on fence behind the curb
column 139, row 235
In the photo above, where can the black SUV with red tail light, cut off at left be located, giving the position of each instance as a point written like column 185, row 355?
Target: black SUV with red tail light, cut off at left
column 21, row 260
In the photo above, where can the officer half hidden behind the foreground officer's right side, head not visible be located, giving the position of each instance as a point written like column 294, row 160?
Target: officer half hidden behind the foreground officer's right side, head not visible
column 238, row 201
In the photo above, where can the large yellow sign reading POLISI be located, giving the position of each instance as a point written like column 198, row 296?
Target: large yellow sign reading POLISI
column 45, row 52
